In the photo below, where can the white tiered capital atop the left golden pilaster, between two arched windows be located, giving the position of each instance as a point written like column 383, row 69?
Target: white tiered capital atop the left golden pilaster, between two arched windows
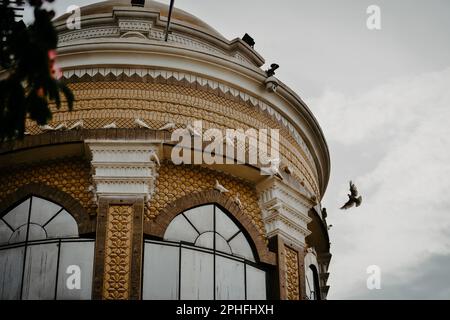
column 123, row 168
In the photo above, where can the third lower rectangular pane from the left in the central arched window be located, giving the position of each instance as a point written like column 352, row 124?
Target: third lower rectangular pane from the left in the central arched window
column 229, row 279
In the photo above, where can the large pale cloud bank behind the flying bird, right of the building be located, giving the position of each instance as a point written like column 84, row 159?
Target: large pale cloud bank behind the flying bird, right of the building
column 404, row 127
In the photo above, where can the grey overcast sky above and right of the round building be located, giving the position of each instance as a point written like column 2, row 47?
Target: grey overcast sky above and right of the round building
column 382, row 98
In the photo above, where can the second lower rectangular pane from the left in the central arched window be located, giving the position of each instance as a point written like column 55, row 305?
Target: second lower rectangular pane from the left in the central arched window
column 196, row 275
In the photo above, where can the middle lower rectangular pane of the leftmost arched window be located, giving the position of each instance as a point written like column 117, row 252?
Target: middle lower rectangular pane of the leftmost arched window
column 40, row 272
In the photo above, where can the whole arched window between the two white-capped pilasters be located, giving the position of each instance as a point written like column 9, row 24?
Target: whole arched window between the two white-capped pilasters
column 204, row 255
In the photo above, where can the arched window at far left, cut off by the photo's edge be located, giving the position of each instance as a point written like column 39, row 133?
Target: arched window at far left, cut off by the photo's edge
column 41, row 256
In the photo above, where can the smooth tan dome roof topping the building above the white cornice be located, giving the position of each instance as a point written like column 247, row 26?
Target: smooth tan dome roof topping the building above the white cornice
column 178, row 16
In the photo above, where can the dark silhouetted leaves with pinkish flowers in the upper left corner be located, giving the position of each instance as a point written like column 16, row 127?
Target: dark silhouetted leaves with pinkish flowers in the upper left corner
column 28, row 79
